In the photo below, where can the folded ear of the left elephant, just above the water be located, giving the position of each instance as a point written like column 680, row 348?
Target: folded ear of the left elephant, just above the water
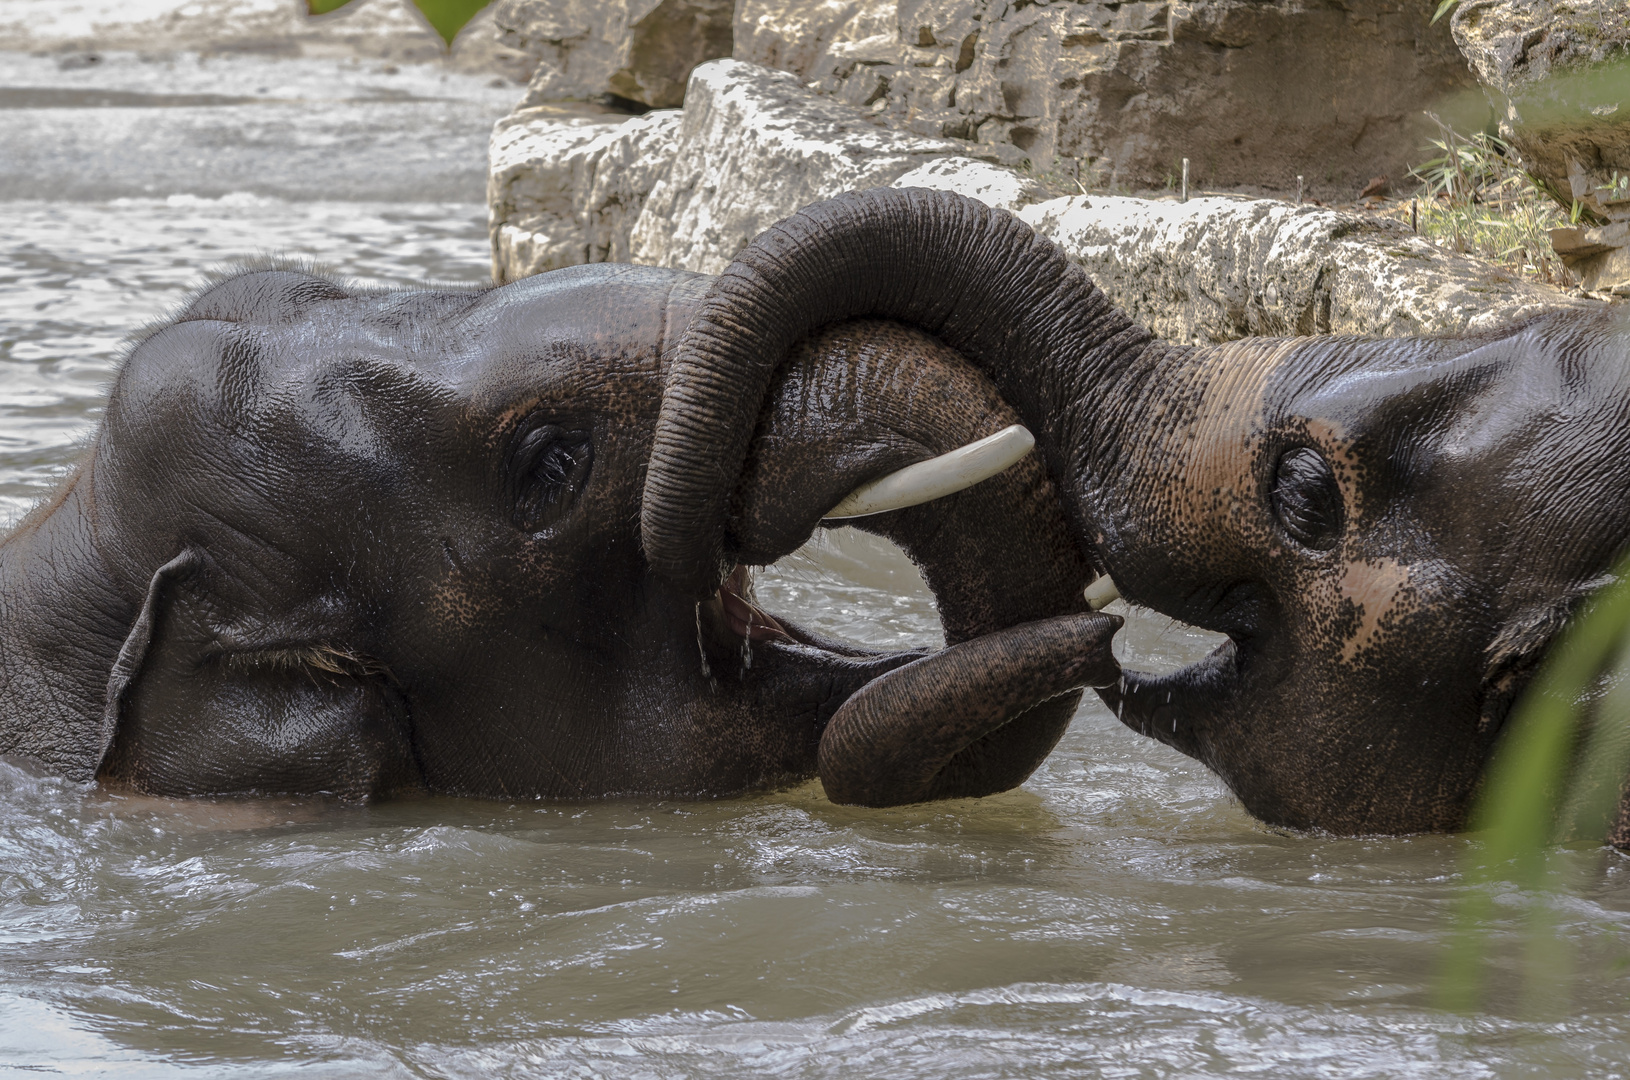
column 193, row 714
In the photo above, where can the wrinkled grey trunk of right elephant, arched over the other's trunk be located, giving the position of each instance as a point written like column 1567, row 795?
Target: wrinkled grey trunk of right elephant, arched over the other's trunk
column 976, row 278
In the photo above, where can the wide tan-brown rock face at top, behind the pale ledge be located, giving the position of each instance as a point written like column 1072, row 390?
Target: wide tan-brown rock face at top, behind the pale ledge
column 1127, row 89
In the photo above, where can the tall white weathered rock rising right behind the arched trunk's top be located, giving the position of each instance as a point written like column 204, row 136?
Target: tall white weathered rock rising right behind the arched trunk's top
column 754, row 147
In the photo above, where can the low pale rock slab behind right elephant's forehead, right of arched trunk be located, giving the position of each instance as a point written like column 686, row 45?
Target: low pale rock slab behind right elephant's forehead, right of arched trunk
column 1218, row 270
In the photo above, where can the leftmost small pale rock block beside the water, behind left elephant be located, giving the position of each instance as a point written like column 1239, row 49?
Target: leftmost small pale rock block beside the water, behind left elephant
column 566, row 185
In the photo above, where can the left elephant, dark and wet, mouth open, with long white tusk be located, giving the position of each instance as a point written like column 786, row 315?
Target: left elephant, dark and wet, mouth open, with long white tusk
column 353, row 543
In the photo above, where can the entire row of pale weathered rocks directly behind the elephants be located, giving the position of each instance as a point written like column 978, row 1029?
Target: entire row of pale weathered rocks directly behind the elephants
column 690, row 188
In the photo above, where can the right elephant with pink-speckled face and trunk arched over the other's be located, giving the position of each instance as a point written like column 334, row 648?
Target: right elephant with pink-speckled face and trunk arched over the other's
column 1388, row 532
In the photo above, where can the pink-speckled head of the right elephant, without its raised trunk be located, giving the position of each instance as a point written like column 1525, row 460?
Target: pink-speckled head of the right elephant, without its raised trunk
column 1390, row 532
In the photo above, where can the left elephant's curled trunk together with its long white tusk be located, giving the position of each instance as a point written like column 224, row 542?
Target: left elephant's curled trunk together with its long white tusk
column 925, row 454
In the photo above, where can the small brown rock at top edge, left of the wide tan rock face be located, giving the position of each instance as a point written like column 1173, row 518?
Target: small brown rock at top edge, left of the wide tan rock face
column 635, row 50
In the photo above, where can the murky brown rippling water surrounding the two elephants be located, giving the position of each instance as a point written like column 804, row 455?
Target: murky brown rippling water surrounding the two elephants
column 1116, row 918
